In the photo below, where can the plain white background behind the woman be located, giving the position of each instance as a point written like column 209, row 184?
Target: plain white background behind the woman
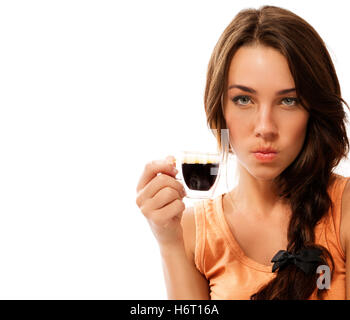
column 89, row 92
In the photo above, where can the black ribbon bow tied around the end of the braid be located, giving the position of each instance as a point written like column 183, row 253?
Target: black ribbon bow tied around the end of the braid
column 305, row 260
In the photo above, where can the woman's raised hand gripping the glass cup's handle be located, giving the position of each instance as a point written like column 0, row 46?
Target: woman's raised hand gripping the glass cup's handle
column 159, row 196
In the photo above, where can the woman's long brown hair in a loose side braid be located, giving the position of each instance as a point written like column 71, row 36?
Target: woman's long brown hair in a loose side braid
column 304, row 183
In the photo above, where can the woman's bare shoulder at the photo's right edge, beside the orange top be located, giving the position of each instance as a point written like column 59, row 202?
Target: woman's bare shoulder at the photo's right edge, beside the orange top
column 345, row 218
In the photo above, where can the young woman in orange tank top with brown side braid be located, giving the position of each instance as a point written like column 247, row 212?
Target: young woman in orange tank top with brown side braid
column 272, row 83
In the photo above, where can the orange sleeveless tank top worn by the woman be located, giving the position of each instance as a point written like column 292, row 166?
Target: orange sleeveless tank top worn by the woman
column 234, row 276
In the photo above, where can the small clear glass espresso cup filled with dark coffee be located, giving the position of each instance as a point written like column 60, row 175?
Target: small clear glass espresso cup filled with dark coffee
column 199, row 173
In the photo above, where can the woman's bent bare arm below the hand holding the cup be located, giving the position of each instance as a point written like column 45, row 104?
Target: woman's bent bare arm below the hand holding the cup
column 182, row 278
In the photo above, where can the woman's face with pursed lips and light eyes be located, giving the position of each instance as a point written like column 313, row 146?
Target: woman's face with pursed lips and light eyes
column 262, row 111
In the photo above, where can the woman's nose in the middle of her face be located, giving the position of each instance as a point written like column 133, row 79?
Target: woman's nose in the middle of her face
column 265, row 125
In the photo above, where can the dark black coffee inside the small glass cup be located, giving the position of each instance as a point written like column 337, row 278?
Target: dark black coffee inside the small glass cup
column 200, row 176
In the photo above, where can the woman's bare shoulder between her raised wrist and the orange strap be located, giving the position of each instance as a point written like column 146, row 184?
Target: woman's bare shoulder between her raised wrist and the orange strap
column 189, row 231
